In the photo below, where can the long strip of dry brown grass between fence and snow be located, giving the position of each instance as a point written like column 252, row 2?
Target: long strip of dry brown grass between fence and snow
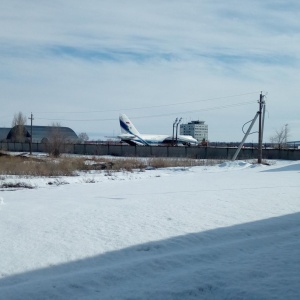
column 69, row 166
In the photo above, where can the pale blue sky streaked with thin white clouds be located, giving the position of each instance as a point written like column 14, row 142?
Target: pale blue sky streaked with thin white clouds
column 82, row 63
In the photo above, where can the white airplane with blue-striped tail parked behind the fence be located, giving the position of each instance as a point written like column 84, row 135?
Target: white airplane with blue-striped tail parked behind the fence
column 131, row 136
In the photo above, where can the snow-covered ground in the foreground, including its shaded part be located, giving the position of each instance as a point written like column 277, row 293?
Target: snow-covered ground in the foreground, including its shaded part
column 230, row 231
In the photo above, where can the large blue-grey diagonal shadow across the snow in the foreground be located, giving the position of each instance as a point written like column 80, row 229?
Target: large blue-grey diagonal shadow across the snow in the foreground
column 257, row 260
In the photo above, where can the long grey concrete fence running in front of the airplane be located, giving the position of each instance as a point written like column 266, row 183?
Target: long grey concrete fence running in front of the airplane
column 157, row 151
